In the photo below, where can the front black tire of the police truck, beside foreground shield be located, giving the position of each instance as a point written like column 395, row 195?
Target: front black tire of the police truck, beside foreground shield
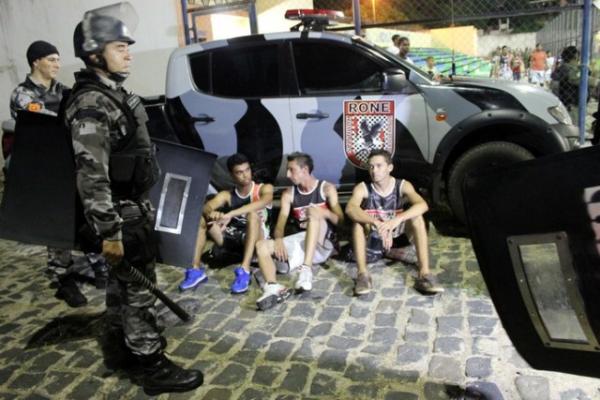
column 478, row 158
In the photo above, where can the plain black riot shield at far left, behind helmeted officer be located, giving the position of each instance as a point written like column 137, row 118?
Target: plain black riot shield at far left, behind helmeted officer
column 38, row 205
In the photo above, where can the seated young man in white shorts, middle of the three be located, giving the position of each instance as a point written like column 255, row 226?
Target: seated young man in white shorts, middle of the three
column 315, row 211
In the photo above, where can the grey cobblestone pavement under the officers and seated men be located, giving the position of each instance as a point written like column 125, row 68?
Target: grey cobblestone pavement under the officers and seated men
column 392, row 344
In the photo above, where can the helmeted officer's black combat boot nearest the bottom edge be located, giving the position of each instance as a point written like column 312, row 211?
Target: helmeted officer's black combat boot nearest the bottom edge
column 161, row 375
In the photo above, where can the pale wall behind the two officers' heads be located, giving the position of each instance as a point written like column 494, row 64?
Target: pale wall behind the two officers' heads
column 24, row 21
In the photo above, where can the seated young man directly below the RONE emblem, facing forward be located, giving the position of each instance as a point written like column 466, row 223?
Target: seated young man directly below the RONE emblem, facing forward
column 380, row 212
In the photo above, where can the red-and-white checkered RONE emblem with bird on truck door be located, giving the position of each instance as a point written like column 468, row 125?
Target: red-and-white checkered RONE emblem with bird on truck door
column 368, row 125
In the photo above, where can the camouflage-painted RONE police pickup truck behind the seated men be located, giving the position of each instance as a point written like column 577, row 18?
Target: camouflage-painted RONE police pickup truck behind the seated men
column 338, row 97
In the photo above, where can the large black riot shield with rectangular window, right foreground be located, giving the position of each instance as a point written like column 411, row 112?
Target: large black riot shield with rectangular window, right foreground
column 535, row 228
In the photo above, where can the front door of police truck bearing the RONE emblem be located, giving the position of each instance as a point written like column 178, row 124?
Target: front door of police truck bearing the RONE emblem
column 341, row 112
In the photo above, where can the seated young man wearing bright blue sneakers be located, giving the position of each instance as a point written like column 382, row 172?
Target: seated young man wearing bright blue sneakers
column 234, row 219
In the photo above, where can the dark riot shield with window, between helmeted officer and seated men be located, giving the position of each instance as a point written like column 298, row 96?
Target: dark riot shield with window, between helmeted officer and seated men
column 178, row 198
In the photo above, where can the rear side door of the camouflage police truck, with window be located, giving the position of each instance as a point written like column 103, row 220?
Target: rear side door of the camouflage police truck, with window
column 236, row 107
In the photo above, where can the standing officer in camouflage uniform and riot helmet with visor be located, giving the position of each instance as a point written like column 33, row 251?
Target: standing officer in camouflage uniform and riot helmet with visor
column 115, row 168
